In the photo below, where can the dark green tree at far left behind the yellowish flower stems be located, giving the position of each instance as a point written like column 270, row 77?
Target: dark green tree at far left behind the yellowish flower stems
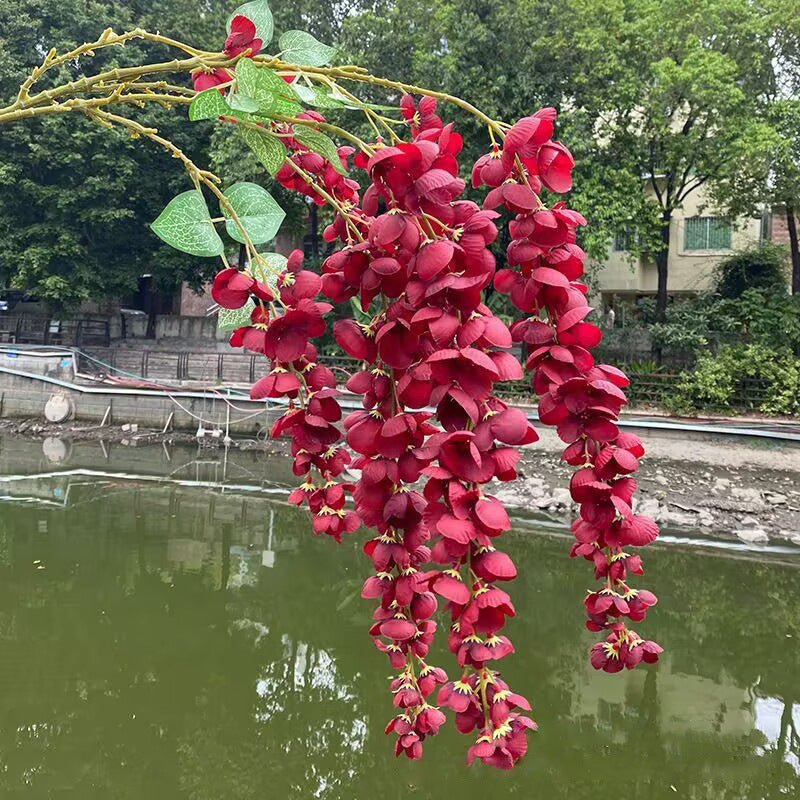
column 70, row 194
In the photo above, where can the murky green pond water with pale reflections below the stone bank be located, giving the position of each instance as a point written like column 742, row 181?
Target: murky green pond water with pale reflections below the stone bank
column 185, row 639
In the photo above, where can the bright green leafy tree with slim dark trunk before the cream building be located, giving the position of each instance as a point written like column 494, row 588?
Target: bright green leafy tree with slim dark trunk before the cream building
column 669, row 92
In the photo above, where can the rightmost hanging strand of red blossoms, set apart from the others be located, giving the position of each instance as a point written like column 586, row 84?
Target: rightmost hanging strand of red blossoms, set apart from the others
column 580, row 398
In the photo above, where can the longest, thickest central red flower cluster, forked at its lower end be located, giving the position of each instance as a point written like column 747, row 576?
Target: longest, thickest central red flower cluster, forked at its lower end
column 418, row 257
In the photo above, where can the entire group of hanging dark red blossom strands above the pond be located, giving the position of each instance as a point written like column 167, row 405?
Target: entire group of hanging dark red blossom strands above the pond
column 432, row 435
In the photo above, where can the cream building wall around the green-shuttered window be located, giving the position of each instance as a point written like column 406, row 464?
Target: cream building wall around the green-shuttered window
column 689, row 272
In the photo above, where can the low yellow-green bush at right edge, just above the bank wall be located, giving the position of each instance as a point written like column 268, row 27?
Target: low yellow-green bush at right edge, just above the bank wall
column 715, row 380
